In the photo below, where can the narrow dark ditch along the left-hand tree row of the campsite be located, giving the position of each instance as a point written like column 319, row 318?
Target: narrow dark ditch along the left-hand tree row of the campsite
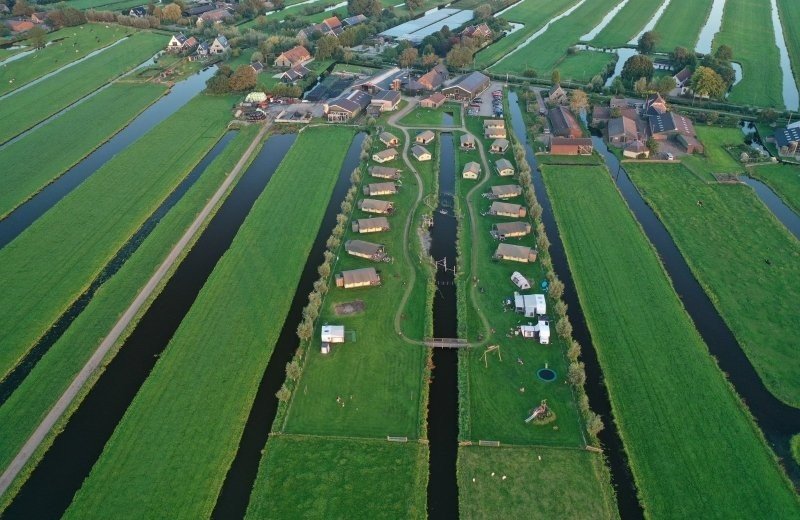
column 235, row 494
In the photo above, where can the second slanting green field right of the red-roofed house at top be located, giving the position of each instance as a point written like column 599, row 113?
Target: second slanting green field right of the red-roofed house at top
column 546, row 52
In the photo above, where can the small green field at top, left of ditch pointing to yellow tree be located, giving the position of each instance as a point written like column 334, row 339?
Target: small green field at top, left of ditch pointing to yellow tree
column 681, row 23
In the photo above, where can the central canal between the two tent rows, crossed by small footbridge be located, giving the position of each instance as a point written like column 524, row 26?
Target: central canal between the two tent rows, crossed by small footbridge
column 443, row 399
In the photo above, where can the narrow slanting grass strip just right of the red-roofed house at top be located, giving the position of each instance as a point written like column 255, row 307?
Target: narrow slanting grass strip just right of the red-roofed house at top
column 534, row 14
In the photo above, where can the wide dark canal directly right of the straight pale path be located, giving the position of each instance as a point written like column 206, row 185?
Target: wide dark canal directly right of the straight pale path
column 54, row 481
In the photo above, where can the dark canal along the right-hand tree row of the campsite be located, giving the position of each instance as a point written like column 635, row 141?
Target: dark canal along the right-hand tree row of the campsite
column 621, row 476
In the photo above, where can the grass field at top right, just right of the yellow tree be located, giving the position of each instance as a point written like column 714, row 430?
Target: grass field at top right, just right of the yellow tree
column 747, row 29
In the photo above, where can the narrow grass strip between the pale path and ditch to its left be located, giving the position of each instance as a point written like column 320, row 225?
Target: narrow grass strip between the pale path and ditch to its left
column 20, row 415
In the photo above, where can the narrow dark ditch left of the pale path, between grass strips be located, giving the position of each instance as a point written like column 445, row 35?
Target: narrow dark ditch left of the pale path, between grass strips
column 15, row 378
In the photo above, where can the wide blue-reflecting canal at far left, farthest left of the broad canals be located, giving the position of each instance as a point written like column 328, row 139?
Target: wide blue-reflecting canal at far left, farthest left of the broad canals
column 26, row 214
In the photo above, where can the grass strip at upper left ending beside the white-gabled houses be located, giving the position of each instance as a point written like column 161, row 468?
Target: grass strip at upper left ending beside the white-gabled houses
column 27, row 108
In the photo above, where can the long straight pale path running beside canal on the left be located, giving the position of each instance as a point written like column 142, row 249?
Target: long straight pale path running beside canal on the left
column 66, row 399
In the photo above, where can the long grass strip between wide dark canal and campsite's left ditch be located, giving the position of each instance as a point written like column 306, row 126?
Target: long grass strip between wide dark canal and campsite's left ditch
column 203, row 384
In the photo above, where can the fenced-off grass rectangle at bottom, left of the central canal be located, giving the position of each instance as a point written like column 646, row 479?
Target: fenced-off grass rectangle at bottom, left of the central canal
column 308, row 477
